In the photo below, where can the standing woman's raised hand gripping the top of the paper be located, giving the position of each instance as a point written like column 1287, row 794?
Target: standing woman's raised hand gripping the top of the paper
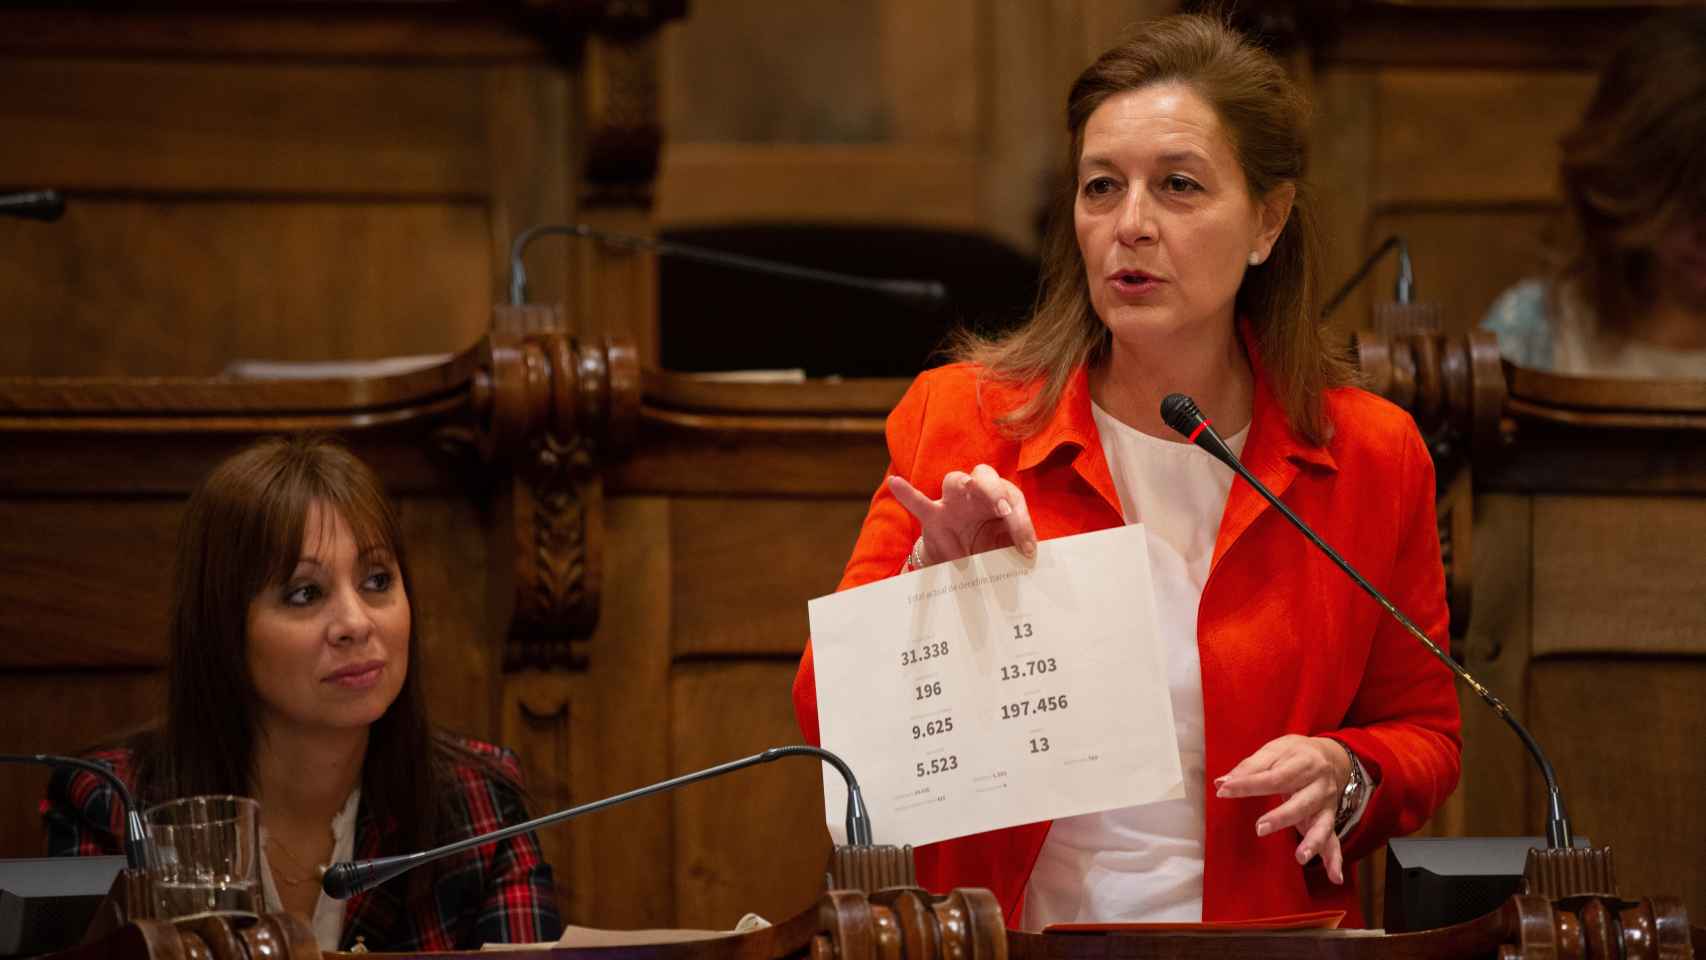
column 978, row 512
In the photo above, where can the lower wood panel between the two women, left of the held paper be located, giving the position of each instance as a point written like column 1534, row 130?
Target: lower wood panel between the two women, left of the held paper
column 753, row 841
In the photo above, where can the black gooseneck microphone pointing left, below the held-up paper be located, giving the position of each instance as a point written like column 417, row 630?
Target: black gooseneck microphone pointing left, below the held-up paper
column 344, row 881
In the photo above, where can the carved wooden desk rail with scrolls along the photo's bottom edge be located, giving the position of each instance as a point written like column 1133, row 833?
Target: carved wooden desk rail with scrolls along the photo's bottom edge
column 966, row 925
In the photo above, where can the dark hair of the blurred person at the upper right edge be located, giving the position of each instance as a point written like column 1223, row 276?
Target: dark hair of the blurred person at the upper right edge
column 1635, row 165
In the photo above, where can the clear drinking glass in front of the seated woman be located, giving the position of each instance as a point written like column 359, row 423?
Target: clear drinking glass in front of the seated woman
column 207, row 857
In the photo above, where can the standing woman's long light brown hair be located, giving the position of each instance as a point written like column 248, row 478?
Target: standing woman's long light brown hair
column 1267, row 119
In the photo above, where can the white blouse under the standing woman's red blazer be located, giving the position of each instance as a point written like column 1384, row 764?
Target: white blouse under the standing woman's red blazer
column 1146, row 864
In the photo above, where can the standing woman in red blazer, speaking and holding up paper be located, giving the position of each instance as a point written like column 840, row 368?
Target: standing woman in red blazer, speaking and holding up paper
column 1183, row 260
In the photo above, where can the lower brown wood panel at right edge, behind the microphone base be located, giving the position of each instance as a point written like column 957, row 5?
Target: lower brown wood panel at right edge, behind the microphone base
column 1625, row 737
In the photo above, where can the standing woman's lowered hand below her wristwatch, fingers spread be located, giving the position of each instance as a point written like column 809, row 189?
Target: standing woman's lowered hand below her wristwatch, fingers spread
column 1313, row 772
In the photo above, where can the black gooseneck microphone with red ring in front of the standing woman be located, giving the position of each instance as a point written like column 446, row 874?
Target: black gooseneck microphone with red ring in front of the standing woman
column 1181, row 413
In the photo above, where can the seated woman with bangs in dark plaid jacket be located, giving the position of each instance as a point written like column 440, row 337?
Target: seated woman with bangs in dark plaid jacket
column 296, row 678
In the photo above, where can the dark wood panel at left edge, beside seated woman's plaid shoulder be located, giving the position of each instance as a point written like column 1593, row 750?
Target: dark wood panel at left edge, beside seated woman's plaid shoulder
column 52, row 712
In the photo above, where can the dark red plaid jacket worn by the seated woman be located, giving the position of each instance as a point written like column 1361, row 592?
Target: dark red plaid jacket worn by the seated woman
column 494, row 894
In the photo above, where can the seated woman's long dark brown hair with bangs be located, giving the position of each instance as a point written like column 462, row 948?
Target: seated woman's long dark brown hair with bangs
column 243, row 533
